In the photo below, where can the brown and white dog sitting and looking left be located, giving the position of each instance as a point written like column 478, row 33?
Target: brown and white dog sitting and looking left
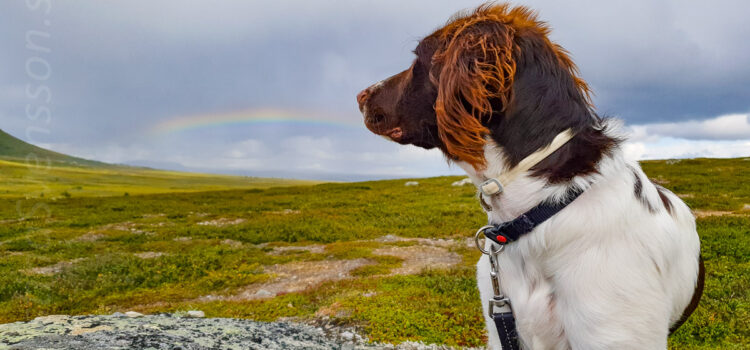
column 619, row 267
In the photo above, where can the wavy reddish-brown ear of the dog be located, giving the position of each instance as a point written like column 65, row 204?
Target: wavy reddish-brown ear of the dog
column 475, row 66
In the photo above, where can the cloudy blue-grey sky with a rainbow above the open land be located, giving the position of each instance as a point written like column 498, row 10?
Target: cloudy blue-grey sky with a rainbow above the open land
column 267, row 88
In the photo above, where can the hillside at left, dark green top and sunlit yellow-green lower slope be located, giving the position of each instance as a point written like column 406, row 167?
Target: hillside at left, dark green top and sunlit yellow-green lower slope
column 77, row 177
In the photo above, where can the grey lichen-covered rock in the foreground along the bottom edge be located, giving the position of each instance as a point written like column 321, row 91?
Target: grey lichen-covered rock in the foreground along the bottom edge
column 186, row 331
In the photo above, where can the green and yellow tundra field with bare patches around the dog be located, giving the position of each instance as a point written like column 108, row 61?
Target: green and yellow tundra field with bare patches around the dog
column 92, row 253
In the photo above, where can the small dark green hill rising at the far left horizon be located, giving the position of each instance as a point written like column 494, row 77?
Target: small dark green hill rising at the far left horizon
column 14, row 149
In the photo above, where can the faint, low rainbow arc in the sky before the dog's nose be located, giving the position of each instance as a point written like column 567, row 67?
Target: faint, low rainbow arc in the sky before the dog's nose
column 253, row 116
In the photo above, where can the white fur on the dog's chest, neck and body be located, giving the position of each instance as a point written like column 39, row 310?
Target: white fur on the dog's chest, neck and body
column 604, row 273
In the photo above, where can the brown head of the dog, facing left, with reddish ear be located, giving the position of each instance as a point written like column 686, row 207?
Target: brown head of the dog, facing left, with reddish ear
column 476, row 78
